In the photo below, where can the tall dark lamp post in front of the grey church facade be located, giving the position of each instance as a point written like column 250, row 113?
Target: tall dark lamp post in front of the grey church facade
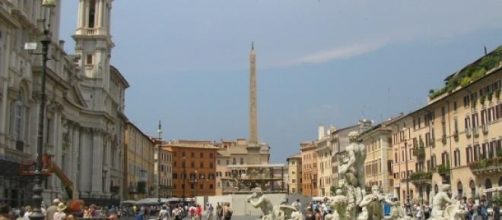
column 37, row 188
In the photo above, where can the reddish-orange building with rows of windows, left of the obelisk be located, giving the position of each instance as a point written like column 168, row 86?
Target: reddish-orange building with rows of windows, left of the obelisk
column 194, row 168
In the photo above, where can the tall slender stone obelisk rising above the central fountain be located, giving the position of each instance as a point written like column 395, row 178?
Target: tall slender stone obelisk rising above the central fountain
column 253, row 124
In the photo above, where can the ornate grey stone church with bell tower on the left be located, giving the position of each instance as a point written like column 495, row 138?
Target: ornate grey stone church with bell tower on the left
column 84, row 109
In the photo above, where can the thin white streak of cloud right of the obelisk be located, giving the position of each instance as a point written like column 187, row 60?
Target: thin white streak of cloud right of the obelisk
column 341, row 53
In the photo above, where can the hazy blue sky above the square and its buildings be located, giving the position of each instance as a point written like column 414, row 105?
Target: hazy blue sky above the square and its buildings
column 319, row 62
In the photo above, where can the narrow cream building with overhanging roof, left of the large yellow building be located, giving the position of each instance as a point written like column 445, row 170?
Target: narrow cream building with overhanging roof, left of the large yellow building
column 378, row 162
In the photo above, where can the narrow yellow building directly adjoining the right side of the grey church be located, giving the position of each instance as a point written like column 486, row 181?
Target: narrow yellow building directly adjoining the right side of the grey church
column 138, row 164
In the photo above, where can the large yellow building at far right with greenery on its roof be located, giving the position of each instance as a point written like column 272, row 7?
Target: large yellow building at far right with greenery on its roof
column 455, row 138
